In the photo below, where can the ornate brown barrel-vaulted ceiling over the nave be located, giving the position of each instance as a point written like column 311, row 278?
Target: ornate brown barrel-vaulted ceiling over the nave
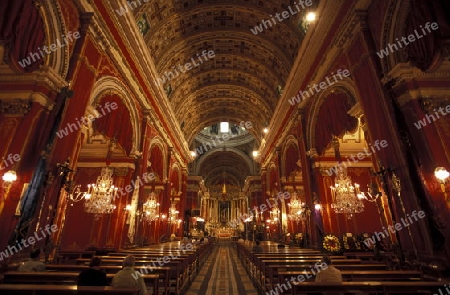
column 240, row 81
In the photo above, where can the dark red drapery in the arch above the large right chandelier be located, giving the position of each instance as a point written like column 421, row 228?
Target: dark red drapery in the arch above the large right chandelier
column 333, row 119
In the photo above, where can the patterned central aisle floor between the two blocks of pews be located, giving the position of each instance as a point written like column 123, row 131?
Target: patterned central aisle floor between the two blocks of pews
column 222, row 274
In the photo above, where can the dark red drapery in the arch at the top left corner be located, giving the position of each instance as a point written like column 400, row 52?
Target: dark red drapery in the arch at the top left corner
column 22, row 27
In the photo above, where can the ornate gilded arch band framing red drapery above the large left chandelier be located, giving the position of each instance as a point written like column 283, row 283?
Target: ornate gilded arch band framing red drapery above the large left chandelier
column 113, row 86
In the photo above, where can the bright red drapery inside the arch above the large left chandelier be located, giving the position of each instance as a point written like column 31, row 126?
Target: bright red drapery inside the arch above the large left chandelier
column 115, row 124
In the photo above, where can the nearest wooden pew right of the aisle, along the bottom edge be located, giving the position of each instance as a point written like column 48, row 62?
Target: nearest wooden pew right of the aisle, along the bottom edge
column 370, row 287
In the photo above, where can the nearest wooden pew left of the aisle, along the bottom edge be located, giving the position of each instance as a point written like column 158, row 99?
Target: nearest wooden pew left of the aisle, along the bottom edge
column 11, row 289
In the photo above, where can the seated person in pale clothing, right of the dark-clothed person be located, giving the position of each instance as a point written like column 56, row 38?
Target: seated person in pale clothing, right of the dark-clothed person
column 128, row 277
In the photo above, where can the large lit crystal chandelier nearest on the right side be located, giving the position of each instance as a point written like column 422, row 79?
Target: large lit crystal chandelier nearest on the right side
column 346, row 198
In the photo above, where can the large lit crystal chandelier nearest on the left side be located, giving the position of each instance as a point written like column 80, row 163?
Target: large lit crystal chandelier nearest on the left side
column 101, row 195
